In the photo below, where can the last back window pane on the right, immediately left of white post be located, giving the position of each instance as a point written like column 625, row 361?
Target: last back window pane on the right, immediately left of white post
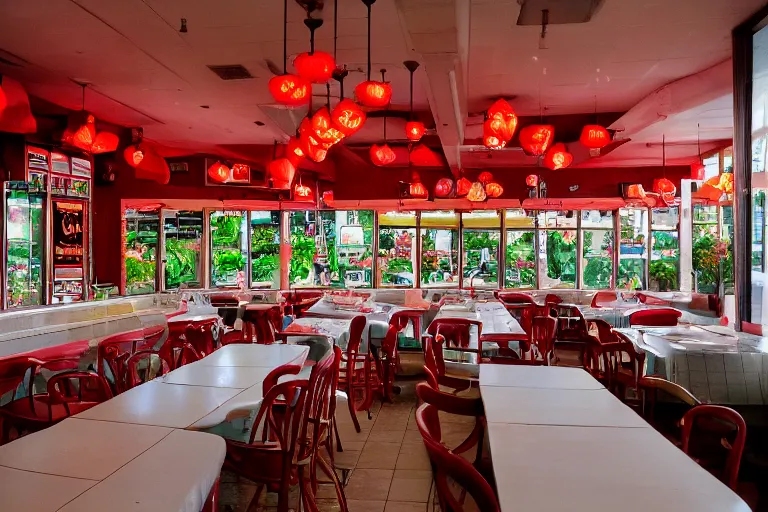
column 664, row 268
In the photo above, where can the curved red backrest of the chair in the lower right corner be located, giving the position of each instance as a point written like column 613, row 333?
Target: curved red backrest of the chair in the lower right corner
column 733, row 442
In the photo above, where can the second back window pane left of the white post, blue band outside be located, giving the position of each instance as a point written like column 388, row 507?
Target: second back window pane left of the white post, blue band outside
column 633, row 249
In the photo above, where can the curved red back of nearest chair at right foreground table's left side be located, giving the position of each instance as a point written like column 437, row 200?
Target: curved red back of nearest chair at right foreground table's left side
column 451, row 468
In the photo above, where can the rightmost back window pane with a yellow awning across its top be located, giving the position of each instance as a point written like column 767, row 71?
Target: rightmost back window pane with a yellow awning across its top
column 520, row 255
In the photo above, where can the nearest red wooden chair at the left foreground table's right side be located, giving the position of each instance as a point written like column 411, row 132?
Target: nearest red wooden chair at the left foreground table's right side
column 270, row 461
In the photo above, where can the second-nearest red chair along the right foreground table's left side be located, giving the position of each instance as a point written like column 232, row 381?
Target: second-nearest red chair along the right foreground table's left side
column 452, row 404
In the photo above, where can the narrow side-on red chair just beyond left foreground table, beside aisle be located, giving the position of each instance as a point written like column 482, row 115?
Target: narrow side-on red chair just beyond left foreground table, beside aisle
column 357, row 372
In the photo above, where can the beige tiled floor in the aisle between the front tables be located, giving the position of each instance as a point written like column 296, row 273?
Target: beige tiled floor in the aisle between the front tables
column 390, row 470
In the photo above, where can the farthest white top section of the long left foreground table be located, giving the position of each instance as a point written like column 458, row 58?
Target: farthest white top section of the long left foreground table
column 270, row 356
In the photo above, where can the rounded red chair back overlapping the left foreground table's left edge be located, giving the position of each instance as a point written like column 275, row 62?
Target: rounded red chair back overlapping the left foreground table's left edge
column 77, row 388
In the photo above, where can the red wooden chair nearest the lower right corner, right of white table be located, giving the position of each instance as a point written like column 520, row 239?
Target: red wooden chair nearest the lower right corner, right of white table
column 732, row 444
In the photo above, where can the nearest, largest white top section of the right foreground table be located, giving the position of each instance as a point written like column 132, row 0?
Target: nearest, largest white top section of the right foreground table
column 585, row 469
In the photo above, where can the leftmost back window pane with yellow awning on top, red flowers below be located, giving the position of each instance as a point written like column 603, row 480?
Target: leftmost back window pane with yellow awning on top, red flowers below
column 397, row 249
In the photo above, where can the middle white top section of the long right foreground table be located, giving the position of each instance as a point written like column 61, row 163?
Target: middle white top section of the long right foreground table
column 575, row 407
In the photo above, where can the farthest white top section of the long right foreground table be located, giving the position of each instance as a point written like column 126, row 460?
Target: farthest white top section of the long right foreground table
column 547, row 377
